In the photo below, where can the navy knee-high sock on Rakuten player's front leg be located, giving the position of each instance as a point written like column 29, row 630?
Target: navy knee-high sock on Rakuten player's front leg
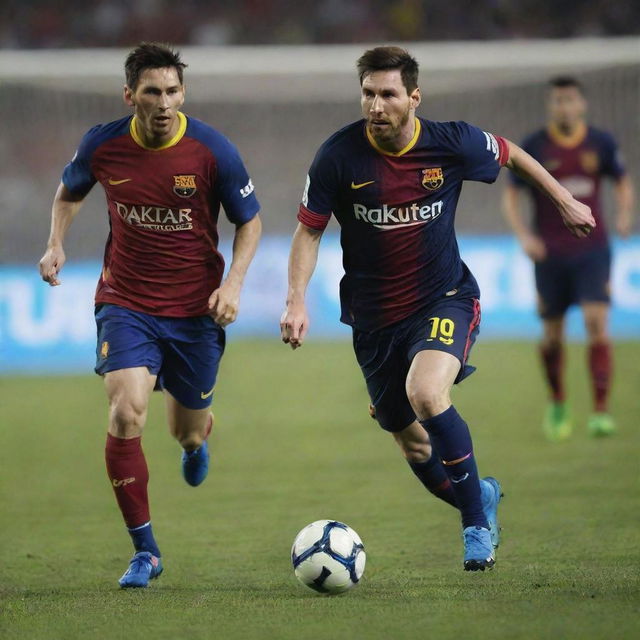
column 450, row 437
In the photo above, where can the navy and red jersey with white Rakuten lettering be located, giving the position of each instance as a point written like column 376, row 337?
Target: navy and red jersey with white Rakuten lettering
column 396, row 212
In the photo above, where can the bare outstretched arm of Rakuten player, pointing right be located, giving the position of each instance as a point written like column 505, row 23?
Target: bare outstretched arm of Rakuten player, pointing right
column 576, row 215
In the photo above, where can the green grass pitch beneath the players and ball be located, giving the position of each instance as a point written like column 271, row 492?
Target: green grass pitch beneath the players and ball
column 293, row 443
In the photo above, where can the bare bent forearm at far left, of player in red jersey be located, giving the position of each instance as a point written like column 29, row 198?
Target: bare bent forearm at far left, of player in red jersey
column 66, row 205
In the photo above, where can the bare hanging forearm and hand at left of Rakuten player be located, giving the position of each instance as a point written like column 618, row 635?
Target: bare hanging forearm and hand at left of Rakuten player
column 302, row 263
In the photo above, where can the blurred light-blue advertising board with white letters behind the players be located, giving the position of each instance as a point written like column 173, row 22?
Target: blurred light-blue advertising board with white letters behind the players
column 51, row 329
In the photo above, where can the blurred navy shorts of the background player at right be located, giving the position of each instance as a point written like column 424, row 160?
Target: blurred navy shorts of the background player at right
column 564, row 281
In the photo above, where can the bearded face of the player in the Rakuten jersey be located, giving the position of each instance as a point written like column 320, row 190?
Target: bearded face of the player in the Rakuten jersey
column 388, row 109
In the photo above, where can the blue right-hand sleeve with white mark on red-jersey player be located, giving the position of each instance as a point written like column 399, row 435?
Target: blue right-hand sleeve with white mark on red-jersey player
column 235, row 188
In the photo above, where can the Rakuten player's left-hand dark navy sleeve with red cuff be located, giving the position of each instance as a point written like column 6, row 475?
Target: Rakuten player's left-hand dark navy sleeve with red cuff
column 320, row 192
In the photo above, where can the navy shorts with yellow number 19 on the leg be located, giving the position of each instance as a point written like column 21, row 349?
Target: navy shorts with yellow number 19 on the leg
column 450, row 325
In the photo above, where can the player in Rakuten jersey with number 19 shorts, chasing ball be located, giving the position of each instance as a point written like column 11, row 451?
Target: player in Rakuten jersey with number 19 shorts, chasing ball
column 392, row 181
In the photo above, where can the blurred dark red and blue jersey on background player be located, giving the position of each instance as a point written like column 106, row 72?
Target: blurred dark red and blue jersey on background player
column 578, row 162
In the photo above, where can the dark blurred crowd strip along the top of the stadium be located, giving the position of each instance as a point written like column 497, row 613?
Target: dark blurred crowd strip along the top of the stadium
column 121, row 23
